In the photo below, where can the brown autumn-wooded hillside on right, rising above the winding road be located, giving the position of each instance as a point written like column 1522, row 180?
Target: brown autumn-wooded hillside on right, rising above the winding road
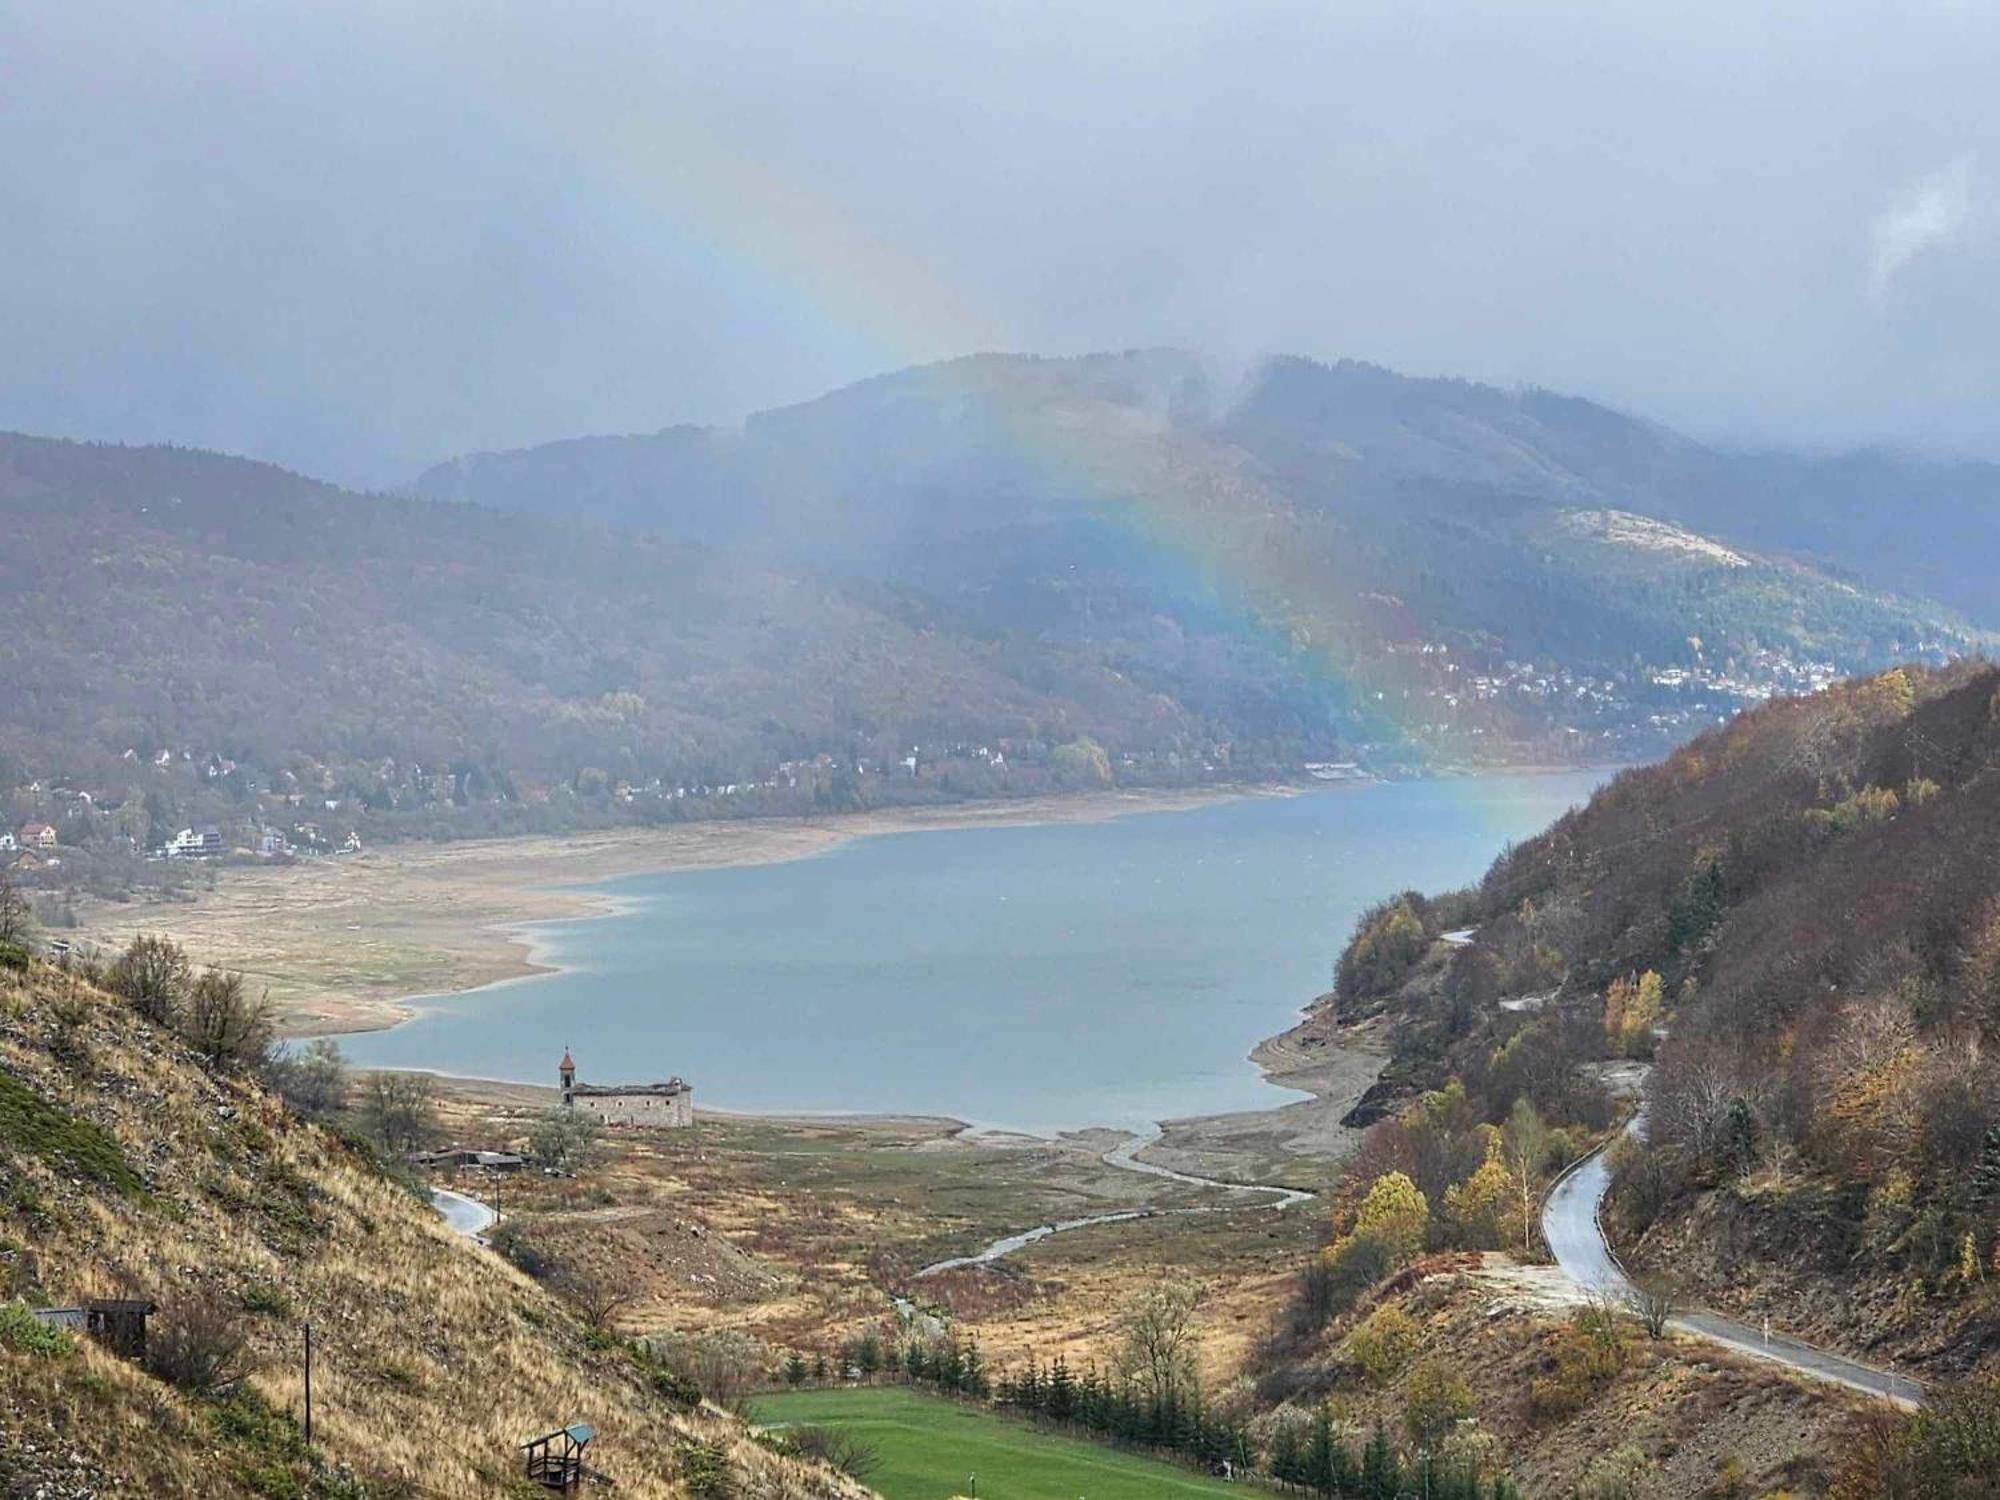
column 1797, row 921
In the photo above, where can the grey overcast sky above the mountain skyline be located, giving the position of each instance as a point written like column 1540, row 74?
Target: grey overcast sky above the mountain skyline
column 359, row 239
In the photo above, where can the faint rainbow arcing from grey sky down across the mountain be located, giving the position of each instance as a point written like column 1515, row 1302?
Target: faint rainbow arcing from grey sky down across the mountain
column 799, row 253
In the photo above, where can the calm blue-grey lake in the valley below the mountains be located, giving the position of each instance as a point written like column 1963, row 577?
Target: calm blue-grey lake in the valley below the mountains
column 1041, row 977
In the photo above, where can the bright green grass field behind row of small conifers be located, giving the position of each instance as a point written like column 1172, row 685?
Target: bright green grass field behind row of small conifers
column 929, row 1449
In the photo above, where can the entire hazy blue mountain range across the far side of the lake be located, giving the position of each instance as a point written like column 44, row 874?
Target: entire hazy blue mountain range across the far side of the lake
column 1015, row 573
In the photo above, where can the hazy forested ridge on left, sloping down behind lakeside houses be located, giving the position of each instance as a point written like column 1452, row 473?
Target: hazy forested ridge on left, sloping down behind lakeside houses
column 193, row 637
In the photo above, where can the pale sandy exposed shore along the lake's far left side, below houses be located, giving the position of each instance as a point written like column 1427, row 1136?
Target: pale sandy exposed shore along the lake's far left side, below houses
column 357, row 943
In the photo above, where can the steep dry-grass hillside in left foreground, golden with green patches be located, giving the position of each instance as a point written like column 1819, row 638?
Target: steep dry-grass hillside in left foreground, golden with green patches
column 131, row 1169
